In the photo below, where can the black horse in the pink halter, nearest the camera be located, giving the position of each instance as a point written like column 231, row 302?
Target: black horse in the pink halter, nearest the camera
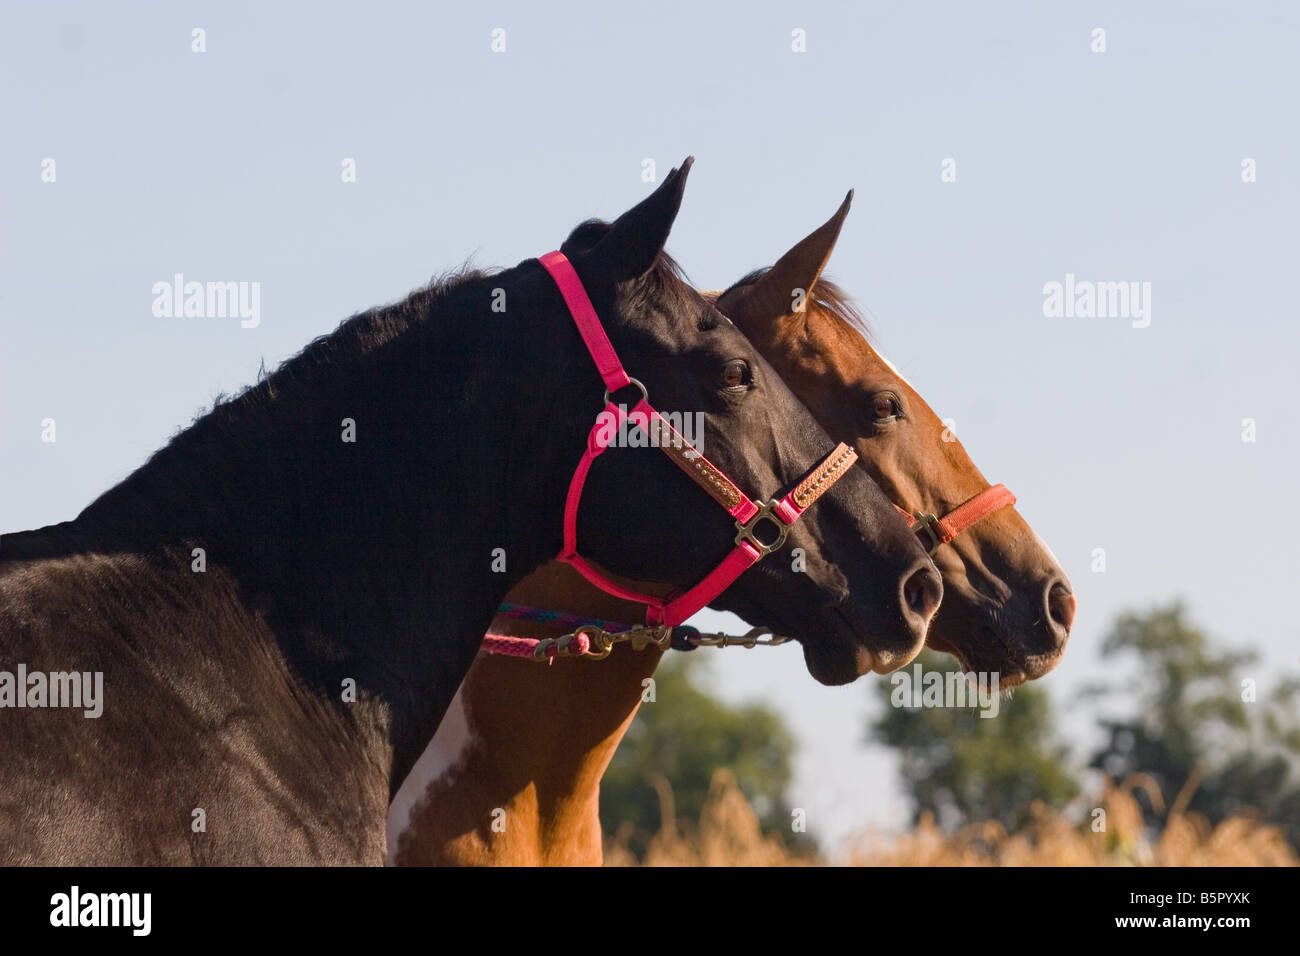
column 284, row 600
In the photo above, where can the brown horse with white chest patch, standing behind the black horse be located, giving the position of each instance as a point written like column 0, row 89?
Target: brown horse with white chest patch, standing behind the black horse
column 514, row 773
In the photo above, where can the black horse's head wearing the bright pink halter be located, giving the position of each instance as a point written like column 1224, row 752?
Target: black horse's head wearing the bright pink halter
column 852, row 583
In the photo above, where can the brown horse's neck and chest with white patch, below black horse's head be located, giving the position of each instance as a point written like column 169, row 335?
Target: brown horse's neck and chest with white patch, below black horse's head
column 518, row 784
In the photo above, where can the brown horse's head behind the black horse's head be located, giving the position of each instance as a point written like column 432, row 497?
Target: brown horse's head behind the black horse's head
column 1008, row 605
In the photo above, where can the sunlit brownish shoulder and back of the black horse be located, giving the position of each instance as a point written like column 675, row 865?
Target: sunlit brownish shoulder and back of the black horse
column 194, row 749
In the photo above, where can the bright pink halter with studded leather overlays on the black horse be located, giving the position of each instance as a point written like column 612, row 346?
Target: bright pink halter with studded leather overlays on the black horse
column 751, row 544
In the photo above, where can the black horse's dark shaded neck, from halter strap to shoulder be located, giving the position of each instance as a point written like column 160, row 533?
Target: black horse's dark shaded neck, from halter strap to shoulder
column 359, row 494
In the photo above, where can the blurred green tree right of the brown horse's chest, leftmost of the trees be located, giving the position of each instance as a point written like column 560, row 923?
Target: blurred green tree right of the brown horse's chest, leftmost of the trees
column 683, row 737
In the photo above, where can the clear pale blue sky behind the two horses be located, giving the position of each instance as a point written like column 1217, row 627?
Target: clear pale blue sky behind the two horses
column 1117, row 166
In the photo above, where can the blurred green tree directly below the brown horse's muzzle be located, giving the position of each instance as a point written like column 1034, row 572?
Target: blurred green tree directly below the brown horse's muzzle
column 964, row 768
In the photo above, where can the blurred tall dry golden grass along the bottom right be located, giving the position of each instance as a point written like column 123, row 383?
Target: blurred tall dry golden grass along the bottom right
column 729, row 834
